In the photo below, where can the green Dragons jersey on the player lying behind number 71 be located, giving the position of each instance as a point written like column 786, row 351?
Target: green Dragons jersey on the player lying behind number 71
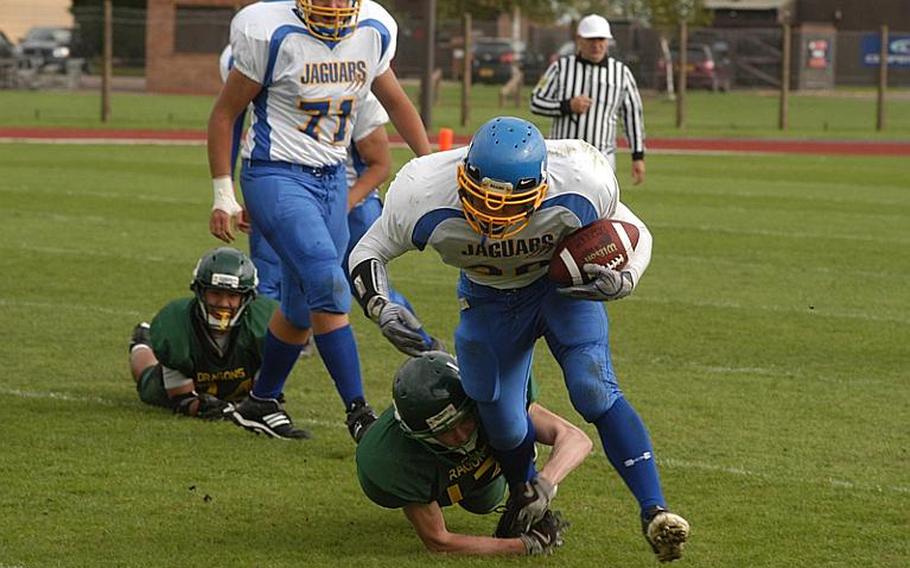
column 180, row 340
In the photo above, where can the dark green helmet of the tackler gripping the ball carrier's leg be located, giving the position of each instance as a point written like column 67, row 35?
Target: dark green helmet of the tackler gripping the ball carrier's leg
column 428, row 397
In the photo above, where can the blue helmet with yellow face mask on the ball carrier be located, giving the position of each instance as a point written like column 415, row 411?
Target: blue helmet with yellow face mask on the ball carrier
column 503, row 178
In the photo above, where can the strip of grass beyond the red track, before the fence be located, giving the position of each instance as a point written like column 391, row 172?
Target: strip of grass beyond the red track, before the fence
column 842, row 114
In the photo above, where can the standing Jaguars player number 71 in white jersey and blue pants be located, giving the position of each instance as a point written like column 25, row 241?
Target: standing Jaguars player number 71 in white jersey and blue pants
column 305, row 66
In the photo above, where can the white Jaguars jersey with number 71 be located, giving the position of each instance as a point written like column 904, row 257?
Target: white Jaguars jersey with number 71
column 312, row 89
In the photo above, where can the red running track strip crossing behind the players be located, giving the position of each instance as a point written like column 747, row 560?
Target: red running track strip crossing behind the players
column 752, row 146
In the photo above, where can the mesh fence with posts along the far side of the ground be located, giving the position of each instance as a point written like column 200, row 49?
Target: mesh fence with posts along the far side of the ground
column 741, row 58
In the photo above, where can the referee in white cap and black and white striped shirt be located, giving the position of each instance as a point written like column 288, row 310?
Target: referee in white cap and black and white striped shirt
column 586, row 92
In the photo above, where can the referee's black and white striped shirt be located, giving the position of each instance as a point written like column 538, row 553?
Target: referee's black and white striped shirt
column 612, row 90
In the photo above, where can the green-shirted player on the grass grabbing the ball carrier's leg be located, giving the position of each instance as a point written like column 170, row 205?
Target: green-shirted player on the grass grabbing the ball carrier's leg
column 429, row 451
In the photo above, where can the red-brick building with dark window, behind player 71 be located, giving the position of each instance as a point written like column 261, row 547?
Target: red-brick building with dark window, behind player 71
column 183, row 41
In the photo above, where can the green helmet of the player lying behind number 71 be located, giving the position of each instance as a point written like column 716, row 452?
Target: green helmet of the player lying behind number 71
column 229, row 270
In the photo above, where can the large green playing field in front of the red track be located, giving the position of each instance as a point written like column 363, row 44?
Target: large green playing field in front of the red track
column 767, row 349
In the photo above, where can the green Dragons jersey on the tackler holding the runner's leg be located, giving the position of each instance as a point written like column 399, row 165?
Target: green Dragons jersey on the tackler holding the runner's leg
column 396, row 470
